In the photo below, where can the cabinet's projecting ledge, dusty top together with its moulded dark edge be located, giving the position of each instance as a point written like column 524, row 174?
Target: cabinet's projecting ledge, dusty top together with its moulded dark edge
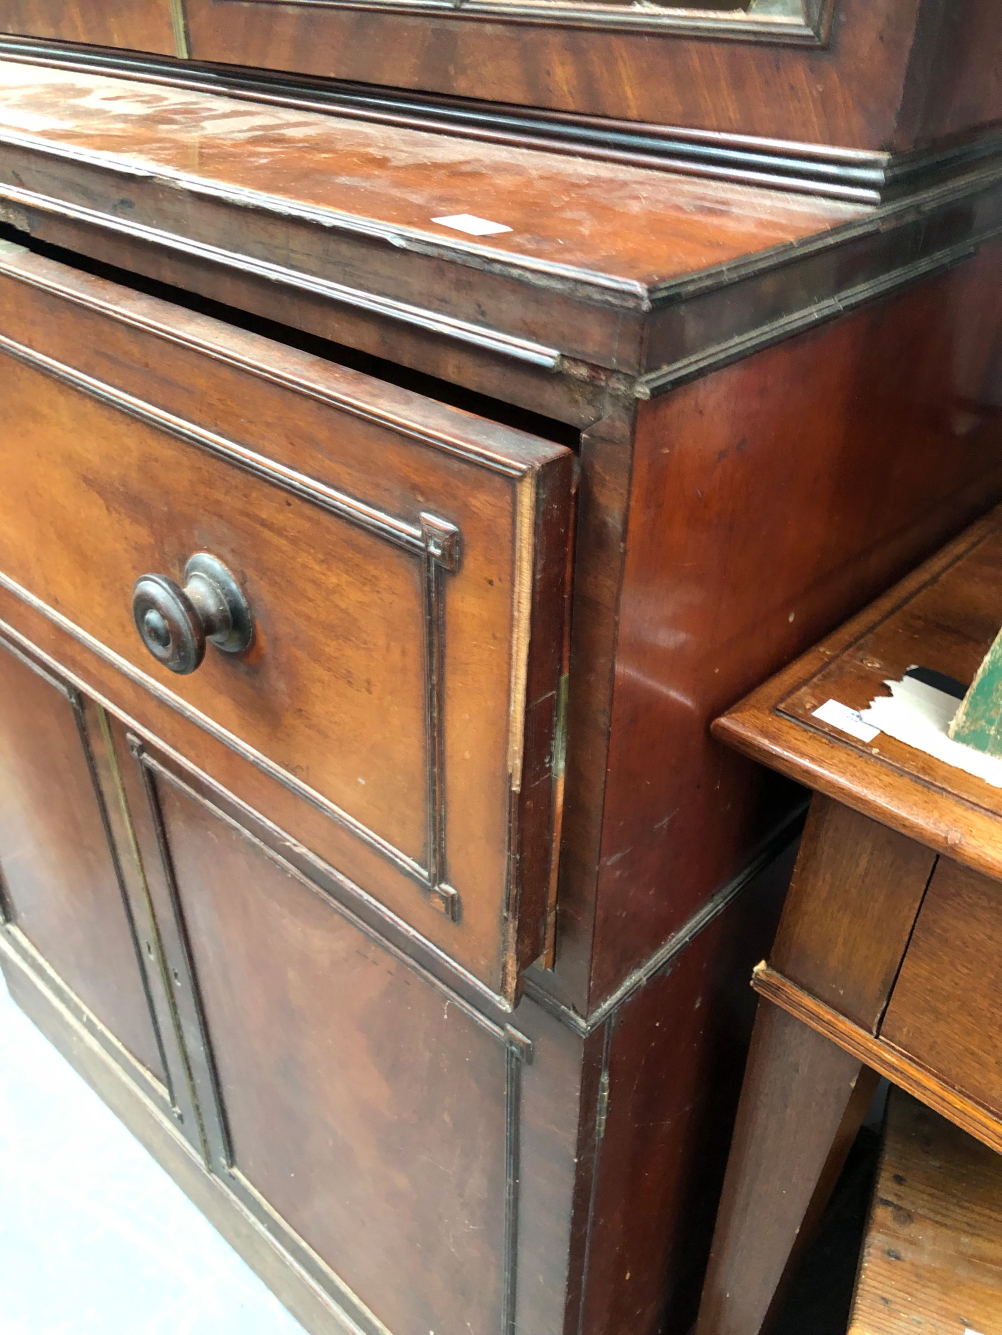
column 329, row 224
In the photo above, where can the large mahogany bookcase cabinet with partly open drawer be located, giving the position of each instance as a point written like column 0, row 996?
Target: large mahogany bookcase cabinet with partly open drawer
column 368, row 587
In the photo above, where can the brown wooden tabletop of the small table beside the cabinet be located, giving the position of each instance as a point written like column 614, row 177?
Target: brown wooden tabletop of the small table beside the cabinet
column 943, row 617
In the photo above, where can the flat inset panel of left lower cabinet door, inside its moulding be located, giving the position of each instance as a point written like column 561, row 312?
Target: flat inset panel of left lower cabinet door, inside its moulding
column 61, row 878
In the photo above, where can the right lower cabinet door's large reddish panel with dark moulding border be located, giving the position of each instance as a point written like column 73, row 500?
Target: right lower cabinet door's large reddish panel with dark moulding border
column 365, row 1113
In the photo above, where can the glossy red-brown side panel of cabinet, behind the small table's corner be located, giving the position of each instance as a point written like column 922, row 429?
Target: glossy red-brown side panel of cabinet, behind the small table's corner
column 769, row 501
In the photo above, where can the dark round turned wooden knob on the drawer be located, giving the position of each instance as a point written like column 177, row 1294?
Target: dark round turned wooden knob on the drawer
column 174, row 623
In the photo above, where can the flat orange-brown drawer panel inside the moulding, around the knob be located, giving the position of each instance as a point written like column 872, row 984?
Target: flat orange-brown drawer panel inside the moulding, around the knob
column 337, row 627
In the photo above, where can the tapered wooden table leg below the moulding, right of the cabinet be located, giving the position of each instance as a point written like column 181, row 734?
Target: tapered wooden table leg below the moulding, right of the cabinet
column 803, row 1103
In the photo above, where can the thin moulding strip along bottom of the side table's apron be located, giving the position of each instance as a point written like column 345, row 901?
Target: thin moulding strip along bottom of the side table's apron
column 881, row 1057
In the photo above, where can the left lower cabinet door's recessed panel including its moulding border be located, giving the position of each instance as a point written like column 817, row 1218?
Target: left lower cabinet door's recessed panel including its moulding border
column 73, row 906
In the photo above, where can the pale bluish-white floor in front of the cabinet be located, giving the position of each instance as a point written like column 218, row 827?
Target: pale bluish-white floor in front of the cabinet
column 95, row 1240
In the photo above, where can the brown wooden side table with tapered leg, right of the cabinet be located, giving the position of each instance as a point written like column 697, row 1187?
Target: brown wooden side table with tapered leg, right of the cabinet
column 889, row 954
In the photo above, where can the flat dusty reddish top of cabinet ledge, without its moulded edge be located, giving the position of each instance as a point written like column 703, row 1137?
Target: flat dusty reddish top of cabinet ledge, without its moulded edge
column 625, row 226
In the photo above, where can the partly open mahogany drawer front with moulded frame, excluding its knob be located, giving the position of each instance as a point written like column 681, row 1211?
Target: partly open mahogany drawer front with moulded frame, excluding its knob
column 402, row 563
